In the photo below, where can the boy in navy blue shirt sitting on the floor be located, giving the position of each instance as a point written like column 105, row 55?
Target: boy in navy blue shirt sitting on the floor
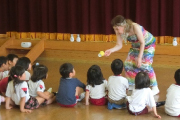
column 69, row 88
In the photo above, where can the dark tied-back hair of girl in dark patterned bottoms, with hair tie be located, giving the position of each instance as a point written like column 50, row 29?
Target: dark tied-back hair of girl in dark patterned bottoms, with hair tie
column 14, row 74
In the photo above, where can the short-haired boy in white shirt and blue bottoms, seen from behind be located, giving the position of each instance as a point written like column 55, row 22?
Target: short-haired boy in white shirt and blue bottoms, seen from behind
column 117, row 86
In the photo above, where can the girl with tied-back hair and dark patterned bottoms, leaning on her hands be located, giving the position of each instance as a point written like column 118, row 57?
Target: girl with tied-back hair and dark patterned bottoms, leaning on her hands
column 18, row 93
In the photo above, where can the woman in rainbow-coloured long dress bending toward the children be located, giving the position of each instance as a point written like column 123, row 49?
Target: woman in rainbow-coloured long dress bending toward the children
column 140, row 56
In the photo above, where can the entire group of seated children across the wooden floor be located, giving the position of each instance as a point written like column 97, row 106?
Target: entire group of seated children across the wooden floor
column 20, row 88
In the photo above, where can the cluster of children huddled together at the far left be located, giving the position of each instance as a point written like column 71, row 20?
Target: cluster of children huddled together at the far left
column 19, row 87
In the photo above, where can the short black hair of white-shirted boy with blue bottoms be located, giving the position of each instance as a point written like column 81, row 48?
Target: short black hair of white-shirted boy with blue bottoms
column 117, row 66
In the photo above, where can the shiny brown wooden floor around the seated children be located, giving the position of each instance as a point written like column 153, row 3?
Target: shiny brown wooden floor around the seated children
column 164, row 66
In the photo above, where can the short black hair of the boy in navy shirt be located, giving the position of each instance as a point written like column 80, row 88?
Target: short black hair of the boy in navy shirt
column 65, row 69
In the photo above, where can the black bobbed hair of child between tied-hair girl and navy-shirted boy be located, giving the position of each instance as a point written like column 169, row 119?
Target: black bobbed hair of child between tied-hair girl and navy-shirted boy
column 39, row 73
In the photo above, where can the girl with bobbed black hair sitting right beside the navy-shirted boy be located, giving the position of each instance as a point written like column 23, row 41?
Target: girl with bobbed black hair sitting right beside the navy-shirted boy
column 96, row 86
